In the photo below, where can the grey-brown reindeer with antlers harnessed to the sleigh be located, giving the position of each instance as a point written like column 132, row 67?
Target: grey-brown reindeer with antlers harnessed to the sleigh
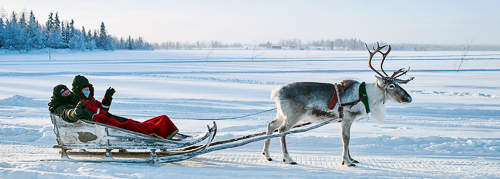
column 308, row 102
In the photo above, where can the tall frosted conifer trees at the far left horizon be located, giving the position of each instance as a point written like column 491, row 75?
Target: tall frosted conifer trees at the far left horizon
column 24, row 33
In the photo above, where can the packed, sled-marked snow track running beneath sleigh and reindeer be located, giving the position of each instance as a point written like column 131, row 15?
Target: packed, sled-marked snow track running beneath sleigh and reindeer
column 328, row 164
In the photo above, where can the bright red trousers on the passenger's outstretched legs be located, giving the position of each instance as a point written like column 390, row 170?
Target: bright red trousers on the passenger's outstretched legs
column 161, row 126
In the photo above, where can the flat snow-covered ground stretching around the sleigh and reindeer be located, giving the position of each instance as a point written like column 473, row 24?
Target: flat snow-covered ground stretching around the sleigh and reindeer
column 450, row 130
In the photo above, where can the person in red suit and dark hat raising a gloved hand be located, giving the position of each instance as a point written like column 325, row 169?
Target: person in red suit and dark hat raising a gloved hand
column 160, row 126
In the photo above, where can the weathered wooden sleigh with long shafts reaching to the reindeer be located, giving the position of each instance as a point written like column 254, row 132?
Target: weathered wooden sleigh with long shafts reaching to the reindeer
column 87, row 135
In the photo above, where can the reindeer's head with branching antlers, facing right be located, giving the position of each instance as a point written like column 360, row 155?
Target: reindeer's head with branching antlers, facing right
column 390, row 85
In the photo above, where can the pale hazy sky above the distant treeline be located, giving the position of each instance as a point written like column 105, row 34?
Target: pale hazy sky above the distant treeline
column 256, row 21
